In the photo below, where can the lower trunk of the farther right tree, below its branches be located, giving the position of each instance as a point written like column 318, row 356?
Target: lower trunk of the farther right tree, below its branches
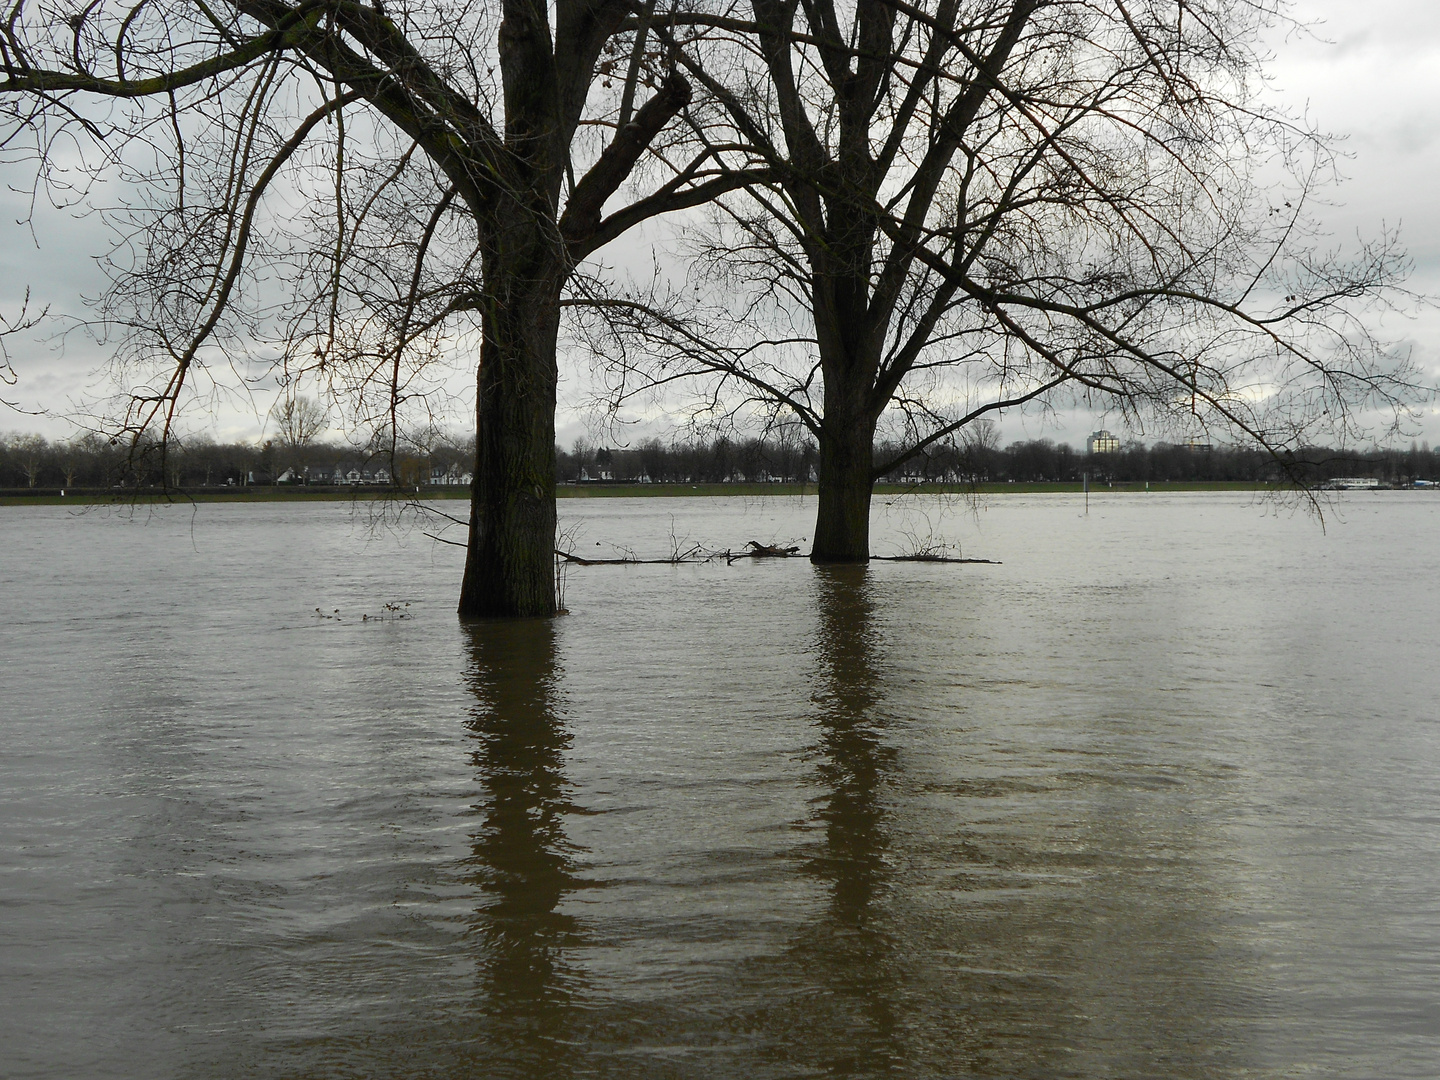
column 846, row 463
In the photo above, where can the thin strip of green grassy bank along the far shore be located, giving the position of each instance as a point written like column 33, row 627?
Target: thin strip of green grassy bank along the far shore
column 302, row 495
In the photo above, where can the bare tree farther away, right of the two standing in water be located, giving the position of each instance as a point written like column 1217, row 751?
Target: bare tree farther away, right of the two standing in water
column 977, row 205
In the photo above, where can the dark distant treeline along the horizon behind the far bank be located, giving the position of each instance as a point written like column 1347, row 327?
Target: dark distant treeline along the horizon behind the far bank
column 91, row 462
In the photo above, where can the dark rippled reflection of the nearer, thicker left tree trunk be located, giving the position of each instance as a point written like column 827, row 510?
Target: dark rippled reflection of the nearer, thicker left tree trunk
column 522, row 858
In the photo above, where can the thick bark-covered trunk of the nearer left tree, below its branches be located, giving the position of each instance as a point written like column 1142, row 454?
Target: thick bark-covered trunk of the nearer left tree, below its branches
column 510, row 564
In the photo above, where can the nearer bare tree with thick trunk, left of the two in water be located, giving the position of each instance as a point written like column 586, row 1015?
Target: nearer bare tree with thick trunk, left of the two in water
column 356, row 188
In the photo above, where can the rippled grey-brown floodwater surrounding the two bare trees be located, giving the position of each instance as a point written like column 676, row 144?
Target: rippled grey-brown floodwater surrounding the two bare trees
column 1157, row 796
